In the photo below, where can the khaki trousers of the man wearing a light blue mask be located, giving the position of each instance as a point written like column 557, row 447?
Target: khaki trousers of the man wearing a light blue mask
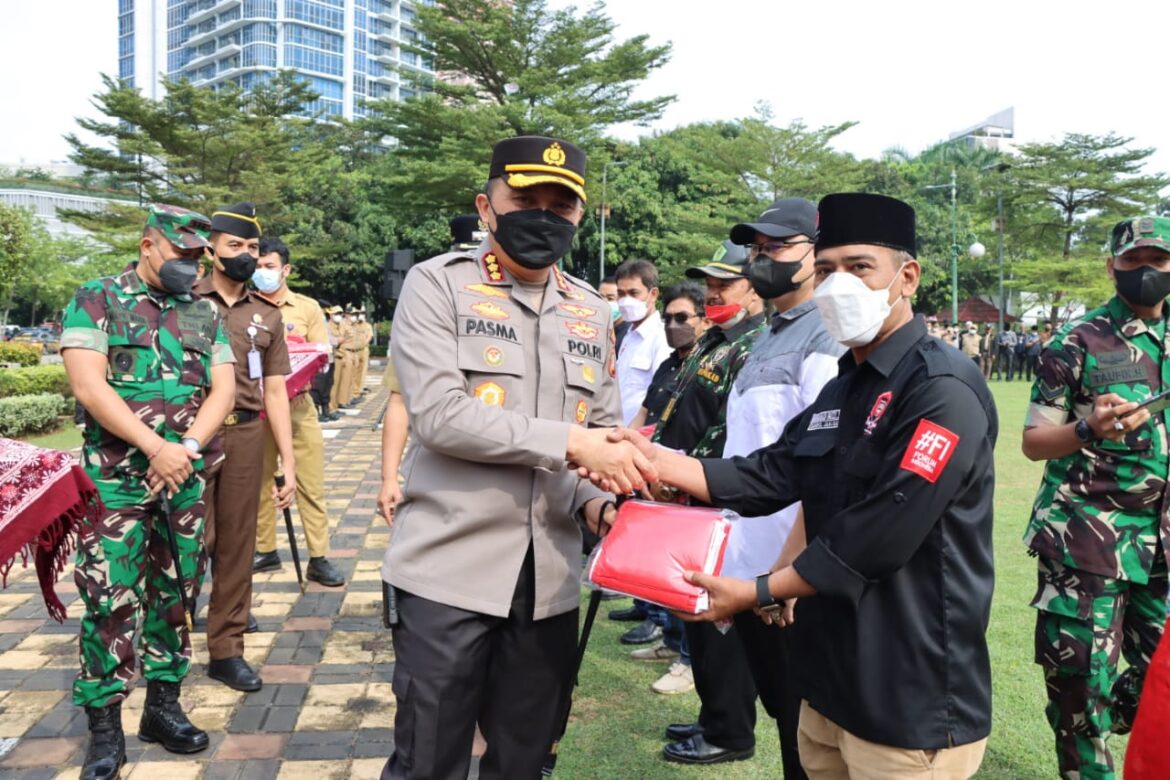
column 309, row 447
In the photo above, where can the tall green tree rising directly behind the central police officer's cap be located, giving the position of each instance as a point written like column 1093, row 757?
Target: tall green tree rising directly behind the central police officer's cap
column 513, row 68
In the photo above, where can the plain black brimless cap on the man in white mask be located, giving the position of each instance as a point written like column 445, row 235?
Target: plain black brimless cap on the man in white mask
column 863, row 218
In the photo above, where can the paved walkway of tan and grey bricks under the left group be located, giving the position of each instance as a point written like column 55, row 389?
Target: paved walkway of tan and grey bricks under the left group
column 327, row 709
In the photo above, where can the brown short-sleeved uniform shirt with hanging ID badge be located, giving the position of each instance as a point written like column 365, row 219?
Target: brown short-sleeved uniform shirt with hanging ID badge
column 251, row 310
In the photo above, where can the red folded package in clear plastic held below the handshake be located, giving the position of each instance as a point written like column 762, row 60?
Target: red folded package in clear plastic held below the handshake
column 650, row 548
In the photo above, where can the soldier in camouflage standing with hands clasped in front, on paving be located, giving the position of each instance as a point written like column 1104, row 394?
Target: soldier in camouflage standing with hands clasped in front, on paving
column 153, row 368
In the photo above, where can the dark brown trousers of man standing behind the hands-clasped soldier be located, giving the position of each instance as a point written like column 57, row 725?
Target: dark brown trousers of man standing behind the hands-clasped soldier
column 231, row 500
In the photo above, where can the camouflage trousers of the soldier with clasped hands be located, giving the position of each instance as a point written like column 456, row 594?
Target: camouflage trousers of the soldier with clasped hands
column 126, row 574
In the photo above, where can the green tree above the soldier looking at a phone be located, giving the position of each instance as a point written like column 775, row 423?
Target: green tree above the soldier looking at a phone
column 1065, row 196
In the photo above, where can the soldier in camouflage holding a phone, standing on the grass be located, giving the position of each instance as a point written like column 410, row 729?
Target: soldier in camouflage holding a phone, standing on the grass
column 1100, row 524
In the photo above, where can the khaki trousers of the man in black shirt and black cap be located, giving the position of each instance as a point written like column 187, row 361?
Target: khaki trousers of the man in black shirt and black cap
column 829, row 753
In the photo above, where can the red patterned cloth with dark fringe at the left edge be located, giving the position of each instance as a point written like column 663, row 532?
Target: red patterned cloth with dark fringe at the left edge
column 44, row 495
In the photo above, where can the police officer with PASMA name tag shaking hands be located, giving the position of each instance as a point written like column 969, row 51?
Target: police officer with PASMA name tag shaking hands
column 504, row 362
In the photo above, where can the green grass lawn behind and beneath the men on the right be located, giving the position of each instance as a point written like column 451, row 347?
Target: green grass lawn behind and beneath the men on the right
column 618, row 722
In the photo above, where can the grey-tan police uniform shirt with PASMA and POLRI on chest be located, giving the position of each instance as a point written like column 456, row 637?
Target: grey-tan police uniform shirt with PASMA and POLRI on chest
column 493, row 379
